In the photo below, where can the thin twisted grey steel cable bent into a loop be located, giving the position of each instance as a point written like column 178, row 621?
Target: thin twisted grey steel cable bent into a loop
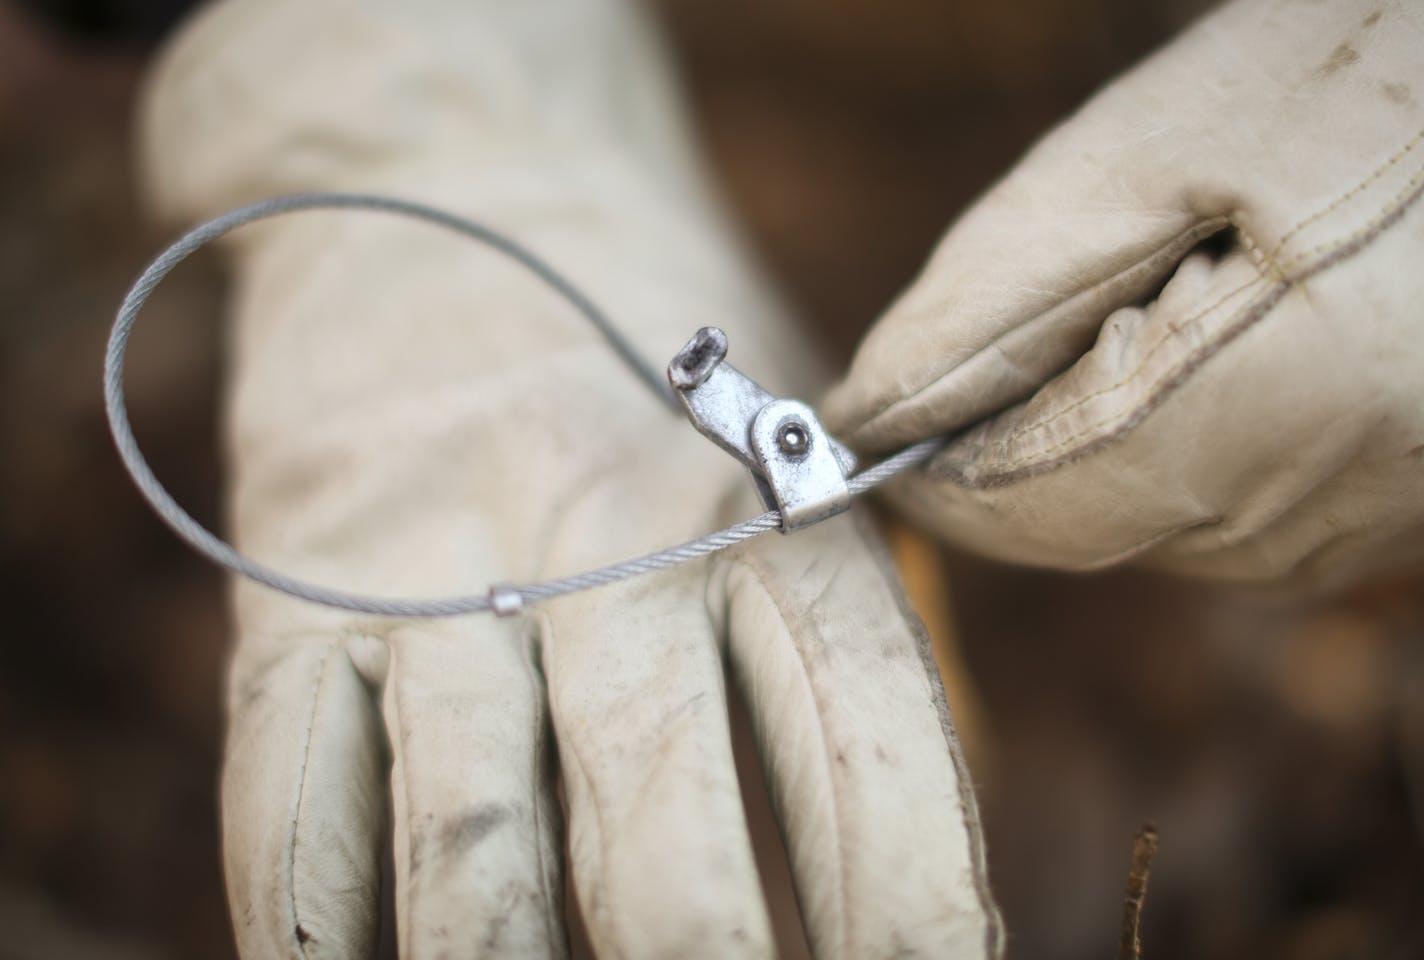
column 226, row 556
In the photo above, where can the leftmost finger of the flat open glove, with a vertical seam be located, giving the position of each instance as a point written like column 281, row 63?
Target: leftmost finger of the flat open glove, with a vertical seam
column 303, row 800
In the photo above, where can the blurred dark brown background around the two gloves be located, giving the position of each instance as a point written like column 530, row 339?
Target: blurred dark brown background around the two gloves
column 1278, row 743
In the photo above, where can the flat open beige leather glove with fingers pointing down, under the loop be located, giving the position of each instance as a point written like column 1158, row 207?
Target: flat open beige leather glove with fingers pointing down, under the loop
column 411, row 415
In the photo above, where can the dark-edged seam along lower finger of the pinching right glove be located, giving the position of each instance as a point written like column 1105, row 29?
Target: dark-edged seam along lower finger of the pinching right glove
column 1291, row 277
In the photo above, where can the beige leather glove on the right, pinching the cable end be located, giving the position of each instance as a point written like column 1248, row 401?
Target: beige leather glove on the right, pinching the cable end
column 1190, row 327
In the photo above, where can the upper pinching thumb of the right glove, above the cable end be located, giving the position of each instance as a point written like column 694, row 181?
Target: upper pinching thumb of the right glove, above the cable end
column 1020, row 286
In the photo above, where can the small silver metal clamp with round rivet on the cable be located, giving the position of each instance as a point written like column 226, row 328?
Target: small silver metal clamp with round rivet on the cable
column 800, row 469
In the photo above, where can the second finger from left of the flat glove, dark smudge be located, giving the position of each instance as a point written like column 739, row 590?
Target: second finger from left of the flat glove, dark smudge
column 478, row 837
